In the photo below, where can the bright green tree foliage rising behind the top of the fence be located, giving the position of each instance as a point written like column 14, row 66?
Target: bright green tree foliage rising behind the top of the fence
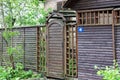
column 23, row 12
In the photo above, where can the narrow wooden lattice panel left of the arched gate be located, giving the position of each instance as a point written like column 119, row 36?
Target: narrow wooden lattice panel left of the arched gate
column 42, row 49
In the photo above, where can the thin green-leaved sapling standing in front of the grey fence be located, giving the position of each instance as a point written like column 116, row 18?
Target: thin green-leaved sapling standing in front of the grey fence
column 8, row 34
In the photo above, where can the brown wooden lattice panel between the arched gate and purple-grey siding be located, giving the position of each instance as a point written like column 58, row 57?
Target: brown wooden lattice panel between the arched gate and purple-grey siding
column 71, row 60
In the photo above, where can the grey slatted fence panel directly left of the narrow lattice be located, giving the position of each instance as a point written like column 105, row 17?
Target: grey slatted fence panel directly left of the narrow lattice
column 30, row 48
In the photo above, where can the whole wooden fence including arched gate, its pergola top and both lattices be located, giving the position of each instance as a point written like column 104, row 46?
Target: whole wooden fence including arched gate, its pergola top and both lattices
column 59, row 60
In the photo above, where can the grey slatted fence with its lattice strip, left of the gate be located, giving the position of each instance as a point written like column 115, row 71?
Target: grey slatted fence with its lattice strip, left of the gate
column 32, row 41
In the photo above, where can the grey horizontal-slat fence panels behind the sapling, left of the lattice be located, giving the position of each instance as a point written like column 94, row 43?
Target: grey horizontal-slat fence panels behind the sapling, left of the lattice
column 26, row 44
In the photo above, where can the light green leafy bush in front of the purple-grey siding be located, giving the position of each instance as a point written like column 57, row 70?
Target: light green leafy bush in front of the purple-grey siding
column 109, row 72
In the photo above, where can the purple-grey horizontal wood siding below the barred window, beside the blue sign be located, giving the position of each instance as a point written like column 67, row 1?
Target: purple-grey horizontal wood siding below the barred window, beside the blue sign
column 94, row 48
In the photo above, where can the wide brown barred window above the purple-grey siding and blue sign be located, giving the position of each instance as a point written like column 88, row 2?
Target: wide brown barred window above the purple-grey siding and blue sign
column 95, row 17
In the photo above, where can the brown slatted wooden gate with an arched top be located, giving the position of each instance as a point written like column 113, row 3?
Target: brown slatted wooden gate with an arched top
column 55, row 48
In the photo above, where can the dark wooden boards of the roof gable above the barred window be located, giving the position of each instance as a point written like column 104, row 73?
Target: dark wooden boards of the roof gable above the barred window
column 92, row 4
